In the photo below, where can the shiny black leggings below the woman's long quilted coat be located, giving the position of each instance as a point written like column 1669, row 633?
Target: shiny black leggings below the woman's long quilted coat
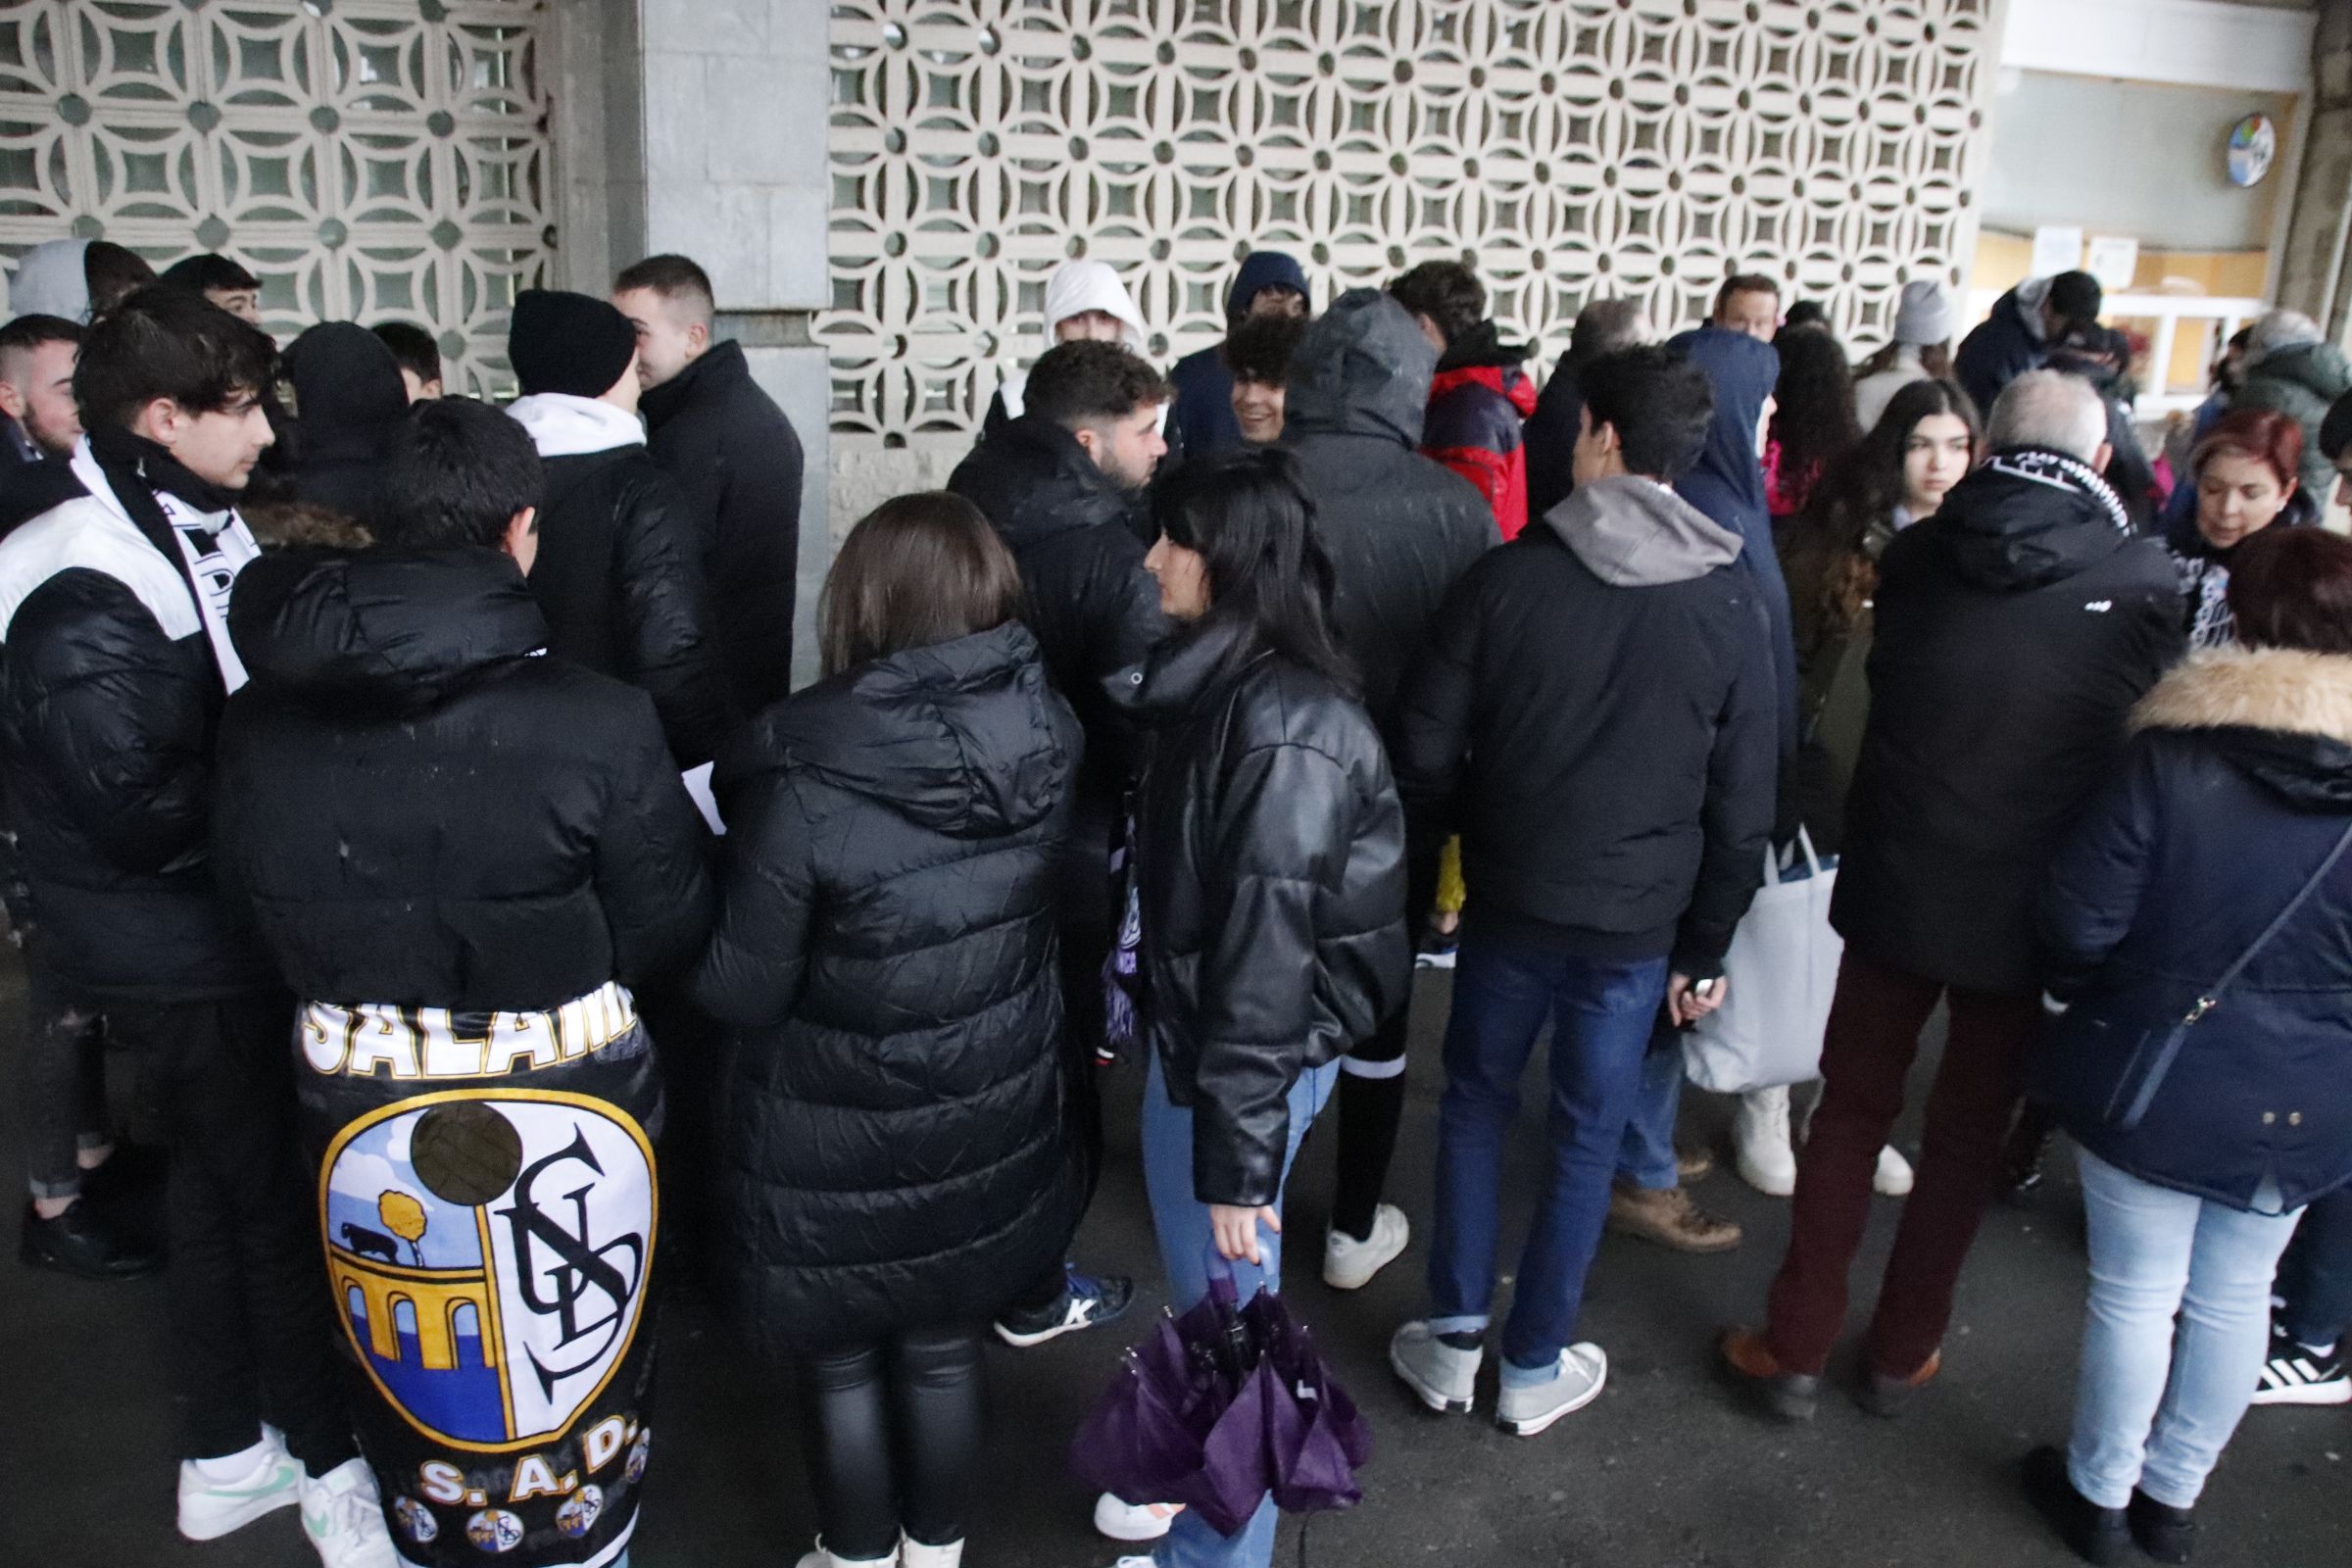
column 893, row 1438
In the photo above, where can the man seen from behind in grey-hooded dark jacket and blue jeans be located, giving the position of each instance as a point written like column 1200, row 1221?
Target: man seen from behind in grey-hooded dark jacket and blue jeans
column 1615, row 831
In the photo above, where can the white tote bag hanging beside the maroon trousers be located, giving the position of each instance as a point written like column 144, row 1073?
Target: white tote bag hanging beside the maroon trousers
column 1782, row 972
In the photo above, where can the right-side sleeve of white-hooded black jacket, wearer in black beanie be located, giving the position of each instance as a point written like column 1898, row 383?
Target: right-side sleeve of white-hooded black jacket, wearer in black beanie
column 664, row 619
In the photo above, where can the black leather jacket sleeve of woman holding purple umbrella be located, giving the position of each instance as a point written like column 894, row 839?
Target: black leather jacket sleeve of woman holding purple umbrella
column 1281, row 847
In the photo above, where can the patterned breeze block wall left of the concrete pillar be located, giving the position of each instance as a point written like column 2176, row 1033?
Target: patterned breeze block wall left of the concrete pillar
column 366, row 159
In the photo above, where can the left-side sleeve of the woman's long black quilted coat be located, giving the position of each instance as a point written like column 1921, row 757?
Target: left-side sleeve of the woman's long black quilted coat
column 759, row 953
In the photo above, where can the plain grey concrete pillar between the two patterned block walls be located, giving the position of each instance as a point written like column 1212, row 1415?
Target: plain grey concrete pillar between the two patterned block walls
column 700, row 128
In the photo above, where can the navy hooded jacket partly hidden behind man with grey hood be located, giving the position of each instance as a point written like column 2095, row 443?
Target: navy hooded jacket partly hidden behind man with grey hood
column 1728, row 485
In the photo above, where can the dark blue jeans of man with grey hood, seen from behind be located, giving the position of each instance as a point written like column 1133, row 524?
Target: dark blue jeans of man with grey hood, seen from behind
column 1601, row 1017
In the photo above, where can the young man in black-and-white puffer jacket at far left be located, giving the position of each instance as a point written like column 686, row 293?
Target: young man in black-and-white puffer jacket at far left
column 114, row 615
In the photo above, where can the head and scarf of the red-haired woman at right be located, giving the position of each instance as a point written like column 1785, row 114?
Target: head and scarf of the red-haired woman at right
column 2245, row 476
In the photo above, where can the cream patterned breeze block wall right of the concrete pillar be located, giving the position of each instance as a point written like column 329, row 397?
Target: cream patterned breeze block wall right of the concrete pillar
column 1570, row 149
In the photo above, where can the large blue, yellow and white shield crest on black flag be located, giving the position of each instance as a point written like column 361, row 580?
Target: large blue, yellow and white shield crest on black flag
column 488, row 1254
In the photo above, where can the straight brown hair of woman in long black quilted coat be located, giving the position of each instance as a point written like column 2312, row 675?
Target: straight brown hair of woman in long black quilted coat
column 916, row 570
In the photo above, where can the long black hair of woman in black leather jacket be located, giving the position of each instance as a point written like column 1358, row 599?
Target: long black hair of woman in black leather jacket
column 1252, row 523
